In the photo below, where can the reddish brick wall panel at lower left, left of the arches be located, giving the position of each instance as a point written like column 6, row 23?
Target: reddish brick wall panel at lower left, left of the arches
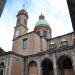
column 17, row 66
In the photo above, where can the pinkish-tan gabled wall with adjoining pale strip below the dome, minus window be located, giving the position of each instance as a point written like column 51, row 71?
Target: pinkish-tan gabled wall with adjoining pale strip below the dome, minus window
column 34, row 44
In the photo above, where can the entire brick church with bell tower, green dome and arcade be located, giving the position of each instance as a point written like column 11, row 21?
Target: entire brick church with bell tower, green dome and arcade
column 36, row 52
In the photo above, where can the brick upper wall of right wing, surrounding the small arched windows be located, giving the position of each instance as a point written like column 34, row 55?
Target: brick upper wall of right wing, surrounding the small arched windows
column 69, row 38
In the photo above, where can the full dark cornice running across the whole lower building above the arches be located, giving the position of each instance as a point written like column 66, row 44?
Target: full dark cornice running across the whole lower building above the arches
column 49, row 51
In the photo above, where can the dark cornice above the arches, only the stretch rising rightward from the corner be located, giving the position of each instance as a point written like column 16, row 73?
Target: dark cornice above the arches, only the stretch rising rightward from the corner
column 53, row 50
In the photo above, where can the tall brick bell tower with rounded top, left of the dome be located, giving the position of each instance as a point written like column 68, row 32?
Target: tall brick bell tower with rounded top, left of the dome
column 21, row 24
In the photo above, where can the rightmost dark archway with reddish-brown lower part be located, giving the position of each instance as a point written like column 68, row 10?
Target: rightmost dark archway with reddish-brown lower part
column 65, row 66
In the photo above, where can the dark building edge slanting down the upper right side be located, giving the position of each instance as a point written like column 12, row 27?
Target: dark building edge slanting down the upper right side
column 71, row 6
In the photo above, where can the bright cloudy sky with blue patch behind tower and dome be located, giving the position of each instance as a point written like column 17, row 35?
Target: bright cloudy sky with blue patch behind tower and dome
column 55, row 11
